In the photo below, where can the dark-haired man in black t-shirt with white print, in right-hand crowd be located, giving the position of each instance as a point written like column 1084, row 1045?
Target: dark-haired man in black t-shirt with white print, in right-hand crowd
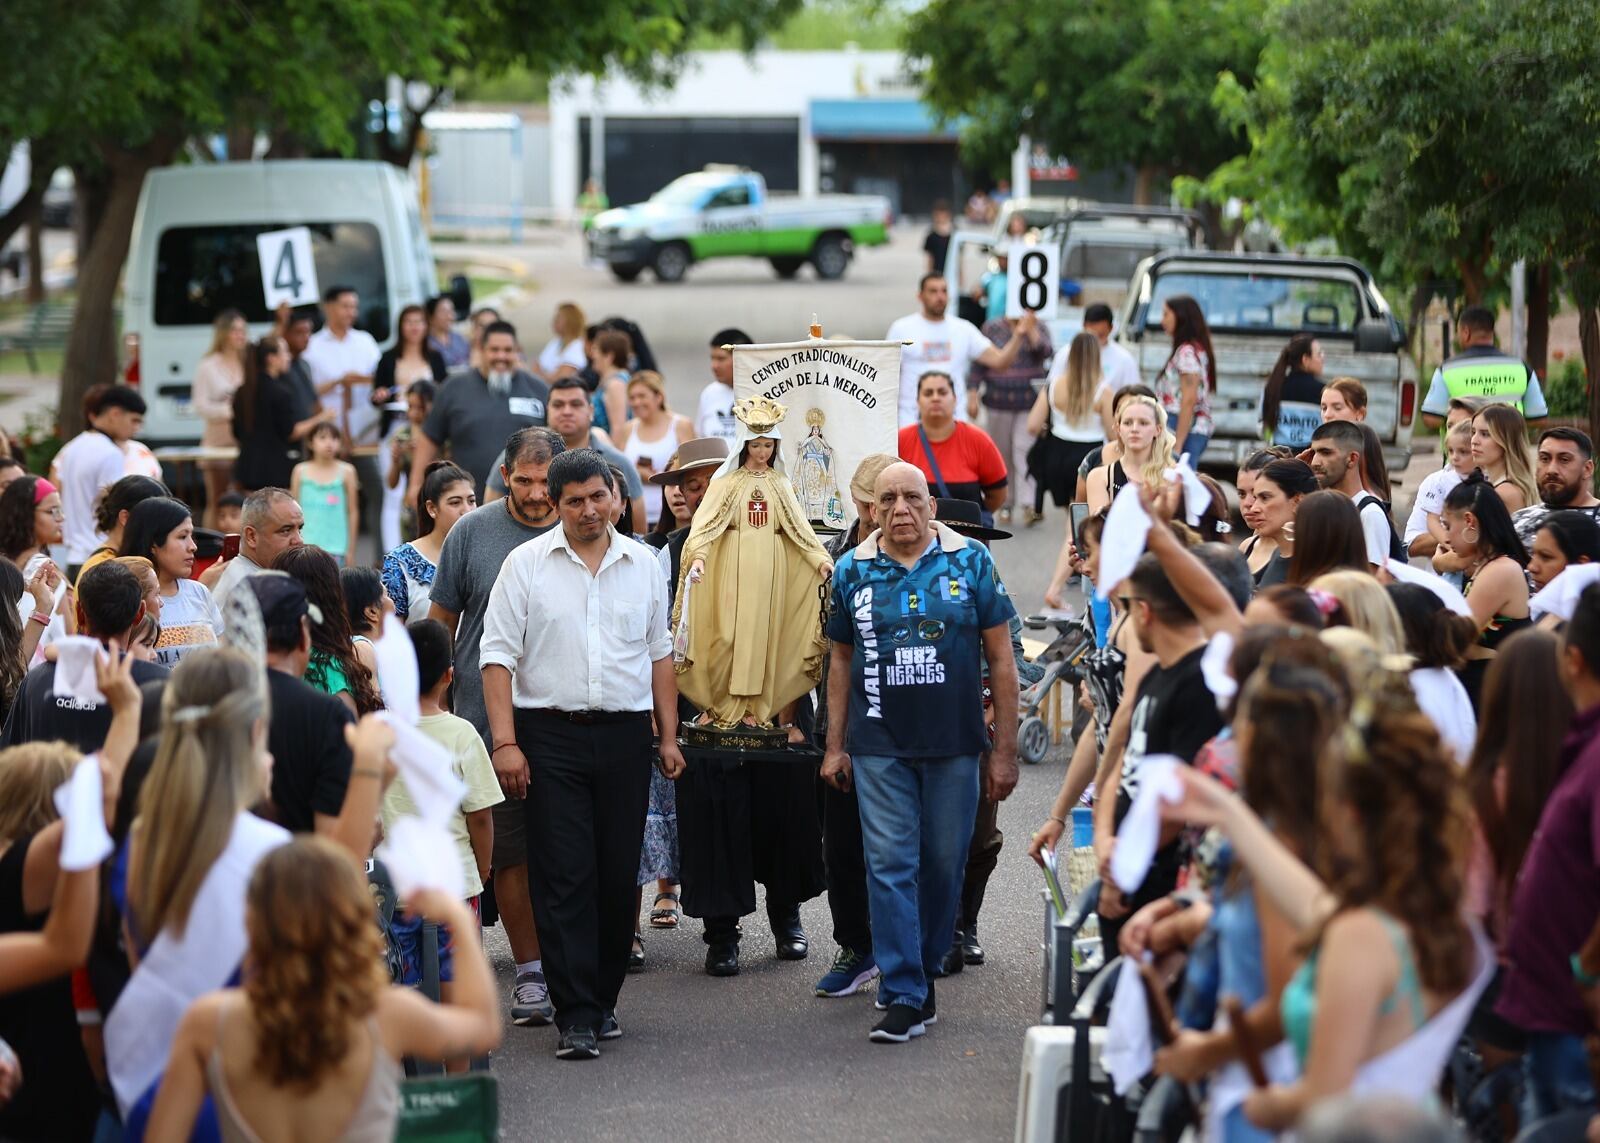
column 1174, row 713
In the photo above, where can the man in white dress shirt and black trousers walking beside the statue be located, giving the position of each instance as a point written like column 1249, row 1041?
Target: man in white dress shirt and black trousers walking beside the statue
column 575, row 657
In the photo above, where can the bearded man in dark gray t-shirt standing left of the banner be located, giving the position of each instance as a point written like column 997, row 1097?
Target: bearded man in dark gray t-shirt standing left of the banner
column 478, row 409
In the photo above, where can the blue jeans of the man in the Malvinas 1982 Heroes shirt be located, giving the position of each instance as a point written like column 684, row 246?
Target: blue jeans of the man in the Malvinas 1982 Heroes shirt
column 916, row 827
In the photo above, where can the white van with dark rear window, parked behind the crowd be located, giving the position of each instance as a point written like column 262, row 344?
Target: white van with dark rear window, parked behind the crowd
column 194, row 255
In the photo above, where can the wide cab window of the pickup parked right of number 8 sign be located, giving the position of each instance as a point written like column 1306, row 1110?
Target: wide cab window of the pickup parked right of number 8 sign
column 1279, row 303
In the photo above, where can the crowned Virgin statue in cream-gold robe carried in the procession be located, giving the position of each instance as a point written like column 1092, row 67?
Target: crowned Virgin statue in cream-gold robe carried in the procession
column 748, row 608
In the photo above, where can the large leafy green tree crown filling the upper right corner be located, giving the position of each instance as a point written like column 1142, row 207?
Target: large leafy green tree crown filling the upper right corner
column 1436, row 140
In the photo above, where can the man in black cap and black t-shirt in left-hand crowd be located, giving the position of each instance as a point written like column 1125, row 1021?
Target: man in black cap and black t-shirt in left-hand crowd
column 311, row 761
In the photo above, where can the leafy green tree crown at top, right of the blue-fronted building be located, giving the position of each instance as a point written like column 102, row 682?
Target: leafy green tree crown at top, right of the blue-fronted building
column 1110, row 82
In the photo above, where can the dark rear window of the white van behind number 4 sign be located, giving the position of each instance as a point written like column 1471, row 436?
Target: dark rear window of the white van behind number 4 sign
column 204, row 270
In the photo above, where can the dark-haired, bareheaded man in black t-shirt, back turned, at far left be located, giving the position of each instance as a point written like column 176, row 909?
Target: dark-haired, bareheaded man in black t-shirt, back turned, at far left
column 113, row 604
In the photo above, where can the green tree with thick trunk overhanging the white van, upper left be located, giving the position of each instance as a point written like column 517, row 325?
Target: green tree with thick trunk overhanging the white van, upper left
column 122, row 87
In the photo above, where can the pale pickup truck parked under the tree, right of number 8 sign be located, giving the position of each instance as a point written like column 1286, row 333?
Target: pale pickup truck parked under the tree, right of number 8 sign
column 1254, row 305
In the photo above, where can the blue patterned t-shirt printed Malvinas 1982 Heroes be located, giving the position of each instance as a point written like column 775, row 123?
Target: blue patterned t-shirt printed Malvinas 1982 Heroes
column 916, row 676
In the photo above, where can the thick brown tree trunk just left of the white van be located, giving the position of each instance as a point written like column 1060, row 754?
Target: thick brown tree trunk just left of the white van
column 92, row 343
